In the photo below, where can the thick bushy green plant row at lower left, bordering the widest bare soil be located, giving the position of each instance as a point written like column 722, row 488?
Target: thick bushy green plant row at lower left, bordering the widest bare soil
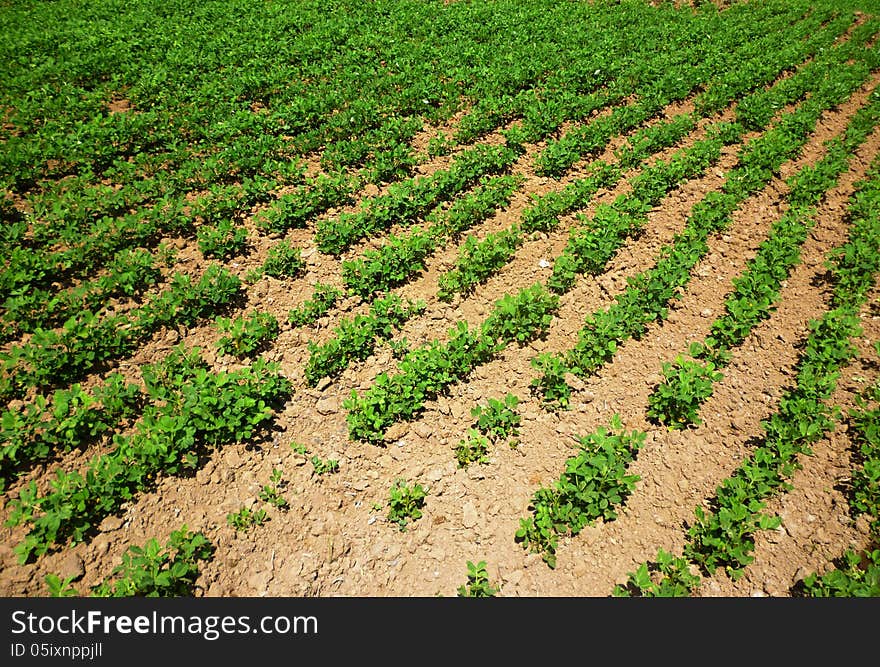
column 191, row 411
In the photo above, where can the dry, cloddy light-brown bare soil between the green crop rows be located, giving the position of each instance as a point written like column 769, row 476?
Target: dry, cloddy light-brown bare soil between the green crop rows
column 335, row 539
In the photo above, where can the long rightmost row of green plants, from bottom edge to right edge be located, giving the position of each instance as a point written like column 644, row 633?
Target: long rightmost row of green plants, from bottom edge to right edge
column 722, row 534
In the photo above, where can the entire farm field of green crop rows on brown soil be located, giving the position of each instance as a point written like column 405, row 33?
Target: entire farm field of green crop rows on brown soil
column 424, row 298
